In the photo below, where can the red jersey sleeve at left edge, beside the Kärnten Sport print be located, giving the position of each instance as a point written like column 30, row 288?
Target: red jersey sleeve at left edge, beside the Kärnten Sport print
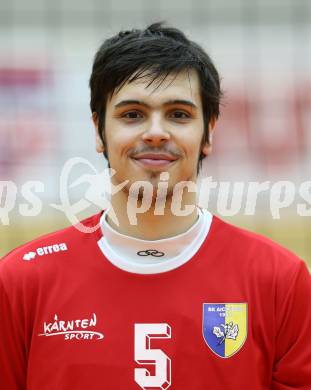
column 12, row 346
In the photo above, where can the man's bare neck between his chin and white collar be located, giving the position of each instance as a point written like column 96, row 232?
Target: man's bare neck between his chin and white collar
column 148, row 225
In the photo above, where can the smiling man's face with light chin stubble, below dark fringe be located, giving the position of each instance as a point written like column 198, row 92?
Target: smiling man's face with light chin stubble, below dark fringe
column 150, row 130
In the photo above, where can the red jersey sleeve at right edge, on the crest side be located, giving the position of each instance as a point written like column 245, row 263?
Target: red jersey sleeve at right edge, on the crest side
column 292, row 366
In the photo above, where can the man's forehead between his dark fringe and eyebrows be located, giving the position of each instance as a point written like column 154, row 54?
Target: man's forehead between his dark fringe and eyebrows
column 184, row 85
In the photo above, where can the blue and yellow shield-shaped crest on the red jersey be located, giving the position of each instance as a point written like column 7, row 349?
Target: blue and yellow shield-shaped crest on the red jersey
column 225, row 327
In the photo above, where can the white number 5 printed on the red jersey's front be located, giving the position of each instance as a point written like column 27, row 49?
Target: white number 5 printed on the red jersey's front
column 144, row 354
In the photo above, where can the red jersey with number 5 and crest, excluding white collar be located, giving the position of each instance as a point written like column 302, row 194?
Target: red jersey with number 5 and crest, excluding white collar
column 236, row 316
